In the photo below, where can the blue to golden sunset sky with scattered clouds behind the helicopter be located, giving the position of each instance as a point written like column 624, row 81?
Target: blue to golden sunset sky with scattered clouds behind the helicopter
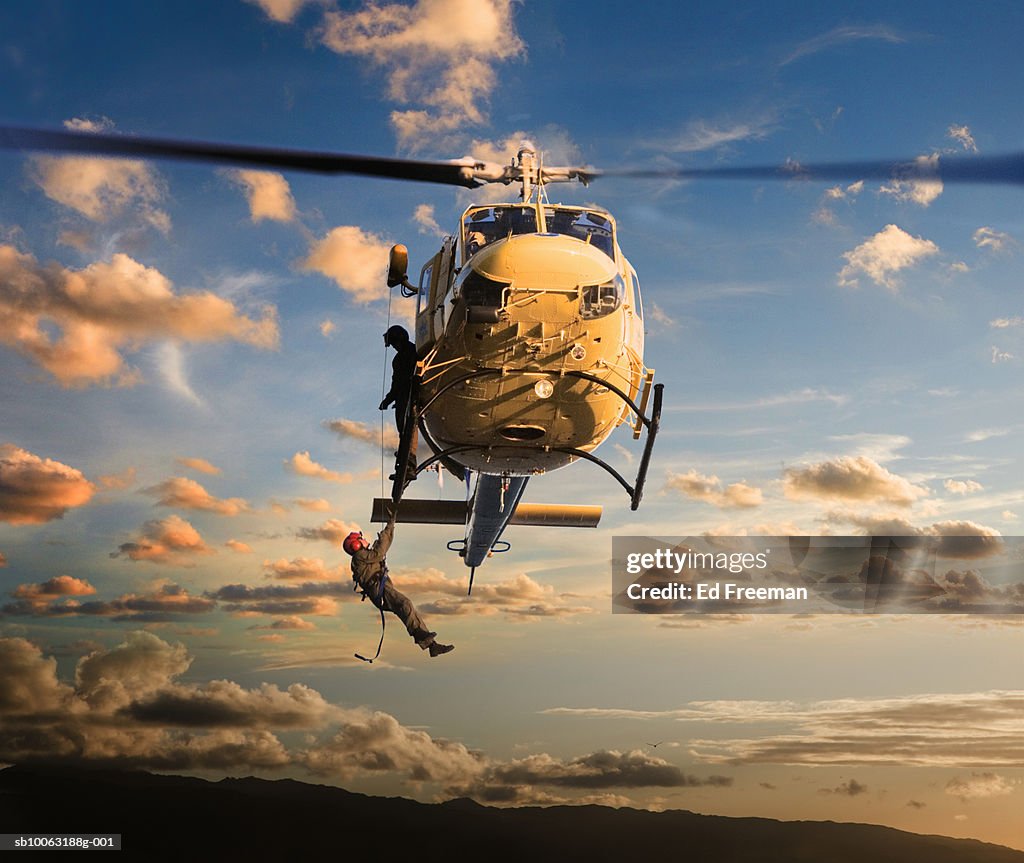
column 191, row 365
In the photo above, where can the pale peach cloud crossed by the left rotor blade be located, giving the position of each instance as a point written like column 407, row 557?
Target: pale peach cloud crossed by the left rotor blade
column 102, row 189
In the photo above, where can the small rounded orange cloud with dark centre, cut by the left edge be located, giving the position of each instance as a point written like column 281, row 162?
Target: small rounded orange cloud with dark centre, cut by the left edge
column 34, row 491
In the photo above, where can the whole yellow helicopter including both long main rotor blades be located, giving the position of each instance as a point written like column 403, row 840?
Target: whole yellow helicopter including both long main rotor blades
column 529, row 323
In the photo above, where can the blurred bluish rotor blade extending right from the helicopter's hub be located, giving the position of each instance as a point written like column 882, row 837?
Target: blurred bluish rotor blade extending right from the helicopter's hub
column 972, row 169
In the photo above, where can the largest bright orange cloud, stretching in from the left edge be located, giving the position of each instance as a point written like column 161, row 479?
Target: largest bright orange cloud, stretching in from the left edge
column 105, row 310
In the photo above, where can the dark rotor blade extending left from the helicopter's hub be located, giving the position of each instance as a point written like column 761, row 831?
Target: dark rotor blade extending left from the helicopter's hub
column 91, row 144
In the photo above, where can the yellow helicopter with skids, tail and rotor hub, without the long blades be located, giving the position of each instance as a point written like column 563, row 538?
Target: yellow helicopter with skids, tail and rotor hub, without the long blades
column 530, row 333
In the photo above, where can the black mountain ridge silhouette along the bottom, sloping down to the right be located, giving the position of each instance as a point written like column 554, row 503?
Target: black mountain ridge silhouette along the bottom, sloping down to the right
column 185, row 818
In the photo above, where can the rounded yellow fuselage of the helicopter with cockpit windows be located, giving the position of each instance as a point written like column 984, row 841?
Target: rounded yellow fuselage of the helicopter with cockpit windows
column 524, row 322
